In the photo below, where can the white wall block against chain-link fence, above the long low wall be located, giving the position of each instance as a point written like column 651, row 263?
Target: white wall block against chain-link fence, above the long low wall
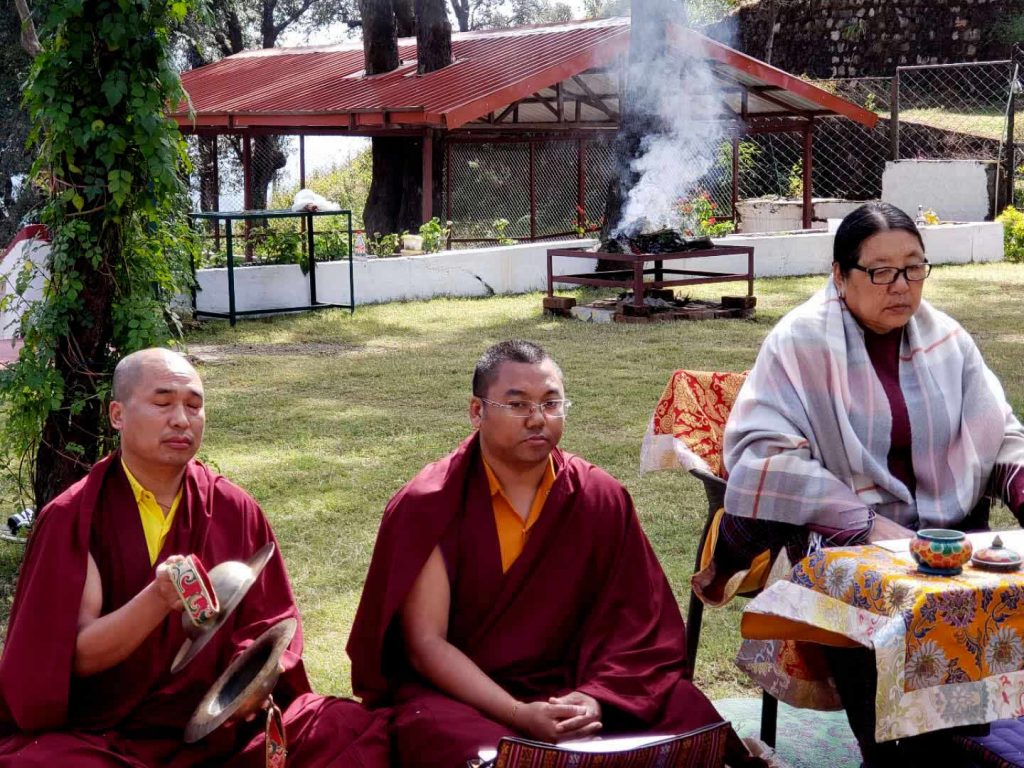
column 956, row 190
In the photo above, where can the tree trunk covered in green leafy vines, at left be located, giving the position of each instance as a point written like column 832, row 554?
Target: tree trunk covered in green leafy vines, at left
column 112, row 165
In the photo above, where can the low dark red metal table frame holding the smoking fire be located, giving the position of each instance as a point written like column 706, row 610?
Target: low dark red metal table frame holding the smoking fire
column 635, row 271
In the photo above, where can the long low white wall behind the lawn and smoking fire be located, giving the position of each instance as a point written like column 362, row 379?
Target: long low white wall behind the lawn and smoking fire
column 523, row 268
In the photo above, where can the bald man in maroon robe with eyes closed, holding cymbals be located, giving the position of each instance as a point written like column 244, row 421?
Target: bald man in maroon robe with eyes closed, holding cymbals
column 86, row 675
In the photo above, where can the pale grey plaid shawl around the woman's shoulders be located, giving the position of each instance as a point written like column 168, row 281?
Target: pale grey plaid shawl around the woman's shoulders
column 808, row 438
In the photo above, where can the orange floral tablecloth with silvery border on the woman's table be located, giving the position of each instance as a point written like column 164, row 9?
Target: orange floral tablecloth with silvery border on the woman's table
column 950, row 651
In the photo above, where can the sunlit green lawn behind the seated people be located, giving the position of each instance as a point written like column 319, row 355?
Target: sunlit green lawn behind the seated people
column 323, row 417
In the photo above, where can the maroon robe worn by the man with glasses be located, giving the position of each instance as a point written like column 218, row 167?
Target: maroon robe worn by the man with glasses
column 585, row 608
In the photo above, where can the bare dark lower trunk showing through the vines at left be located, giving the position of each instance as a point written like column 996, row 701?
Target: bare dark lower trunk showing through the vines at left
column 81, row 355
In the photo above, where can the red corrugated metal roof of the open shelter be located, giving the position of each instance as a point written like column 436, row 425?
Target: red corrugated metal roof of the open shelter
column 324, row 89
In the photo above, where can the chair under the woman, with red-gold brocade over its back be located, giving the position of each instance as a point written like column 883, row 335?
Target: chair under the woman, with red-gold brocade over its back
column 687, row 433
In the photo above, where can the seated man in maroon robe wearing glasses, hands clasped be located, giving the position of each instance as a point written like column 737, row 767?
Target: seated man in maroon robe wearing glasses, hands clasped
column 513, row 591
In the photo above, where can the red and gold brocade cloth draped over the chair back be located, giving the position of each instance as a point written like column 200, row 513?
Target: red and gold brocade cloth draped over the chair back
column 687, row 430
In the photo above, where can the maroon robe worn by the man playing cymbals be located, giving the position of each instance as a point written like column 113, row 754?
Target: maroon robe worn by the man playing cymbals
column 135, row 713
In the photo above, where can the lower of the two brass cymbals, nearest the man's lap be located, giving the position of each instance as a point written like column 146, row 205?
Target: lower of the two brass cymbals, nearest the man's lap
column 245, row 685
